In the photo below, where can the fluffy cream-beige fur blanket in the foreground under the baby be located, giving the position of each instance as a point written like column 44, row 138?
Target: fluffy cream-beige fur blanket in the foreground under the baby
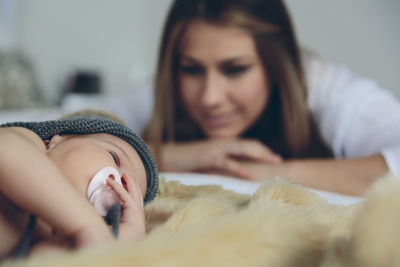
column 280, row 225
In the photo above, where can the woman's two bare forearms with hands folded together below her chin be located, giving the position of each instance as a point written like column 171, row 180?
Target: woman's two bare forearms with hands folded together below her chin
column 347, row 176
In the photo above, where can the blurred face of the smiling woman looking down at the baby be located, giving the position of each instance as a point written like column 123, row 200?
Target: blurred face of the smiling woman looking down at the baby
column 222, row 81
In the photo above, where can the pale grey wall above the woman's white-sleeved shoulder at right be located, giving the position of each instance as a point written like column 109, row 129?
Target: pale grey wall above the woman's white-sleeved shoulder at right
column 364, row 34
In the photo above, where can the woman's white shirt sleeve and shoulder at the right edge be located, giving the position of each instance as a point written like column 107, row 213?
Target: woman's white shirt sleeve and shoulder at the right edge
column 356, row 117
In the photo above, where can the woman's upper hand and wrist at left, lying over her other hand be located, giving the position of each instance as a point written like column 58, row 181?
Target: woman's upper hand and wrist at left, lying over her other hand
column 223, row 156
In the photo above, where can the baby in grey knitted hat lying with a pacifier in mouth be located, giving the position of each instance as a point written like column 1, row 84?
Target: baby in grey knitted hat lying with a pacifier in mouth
column 47, row 169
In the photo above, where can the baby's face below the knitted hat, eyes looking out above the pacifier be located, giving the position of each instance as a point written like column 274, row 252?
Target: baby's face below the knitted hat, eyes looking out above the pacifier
column 80, row 157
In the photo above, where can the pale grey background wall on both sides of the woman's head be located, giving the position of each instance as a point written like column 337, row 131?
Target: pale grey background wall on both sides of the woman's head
column 121, row 37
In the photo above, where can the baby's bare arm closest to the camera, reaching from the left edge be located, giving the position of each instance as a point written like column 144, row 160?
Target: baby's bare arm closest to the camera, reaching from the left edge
column 32, row 181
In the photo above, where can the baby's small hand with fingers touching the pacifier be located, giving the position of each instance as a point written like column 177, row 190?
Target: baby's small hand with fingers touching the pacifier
column 132, row 224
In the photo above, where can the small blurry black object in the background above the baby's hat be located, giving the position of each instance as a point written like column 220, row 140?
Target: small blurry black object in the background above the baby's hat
column 85, row 82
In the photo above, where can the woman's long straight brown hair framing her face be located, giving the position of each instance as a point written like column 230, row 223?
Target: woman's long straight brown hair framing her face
column 286, row 125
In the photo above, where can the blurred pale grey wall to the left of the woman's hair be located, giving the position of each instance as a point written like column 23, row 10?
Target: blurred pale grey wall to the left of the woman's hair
column 112, row 37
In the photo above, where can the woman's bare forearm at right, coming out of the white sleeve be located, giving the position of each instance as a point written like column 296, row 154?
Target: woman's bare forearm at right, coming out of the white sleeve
column 346, row 176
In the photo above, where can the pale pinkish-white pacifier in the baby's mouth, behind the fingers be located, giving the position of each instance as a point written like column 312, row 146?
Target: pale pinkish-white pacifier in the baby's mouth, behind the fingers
column 99, row 193
